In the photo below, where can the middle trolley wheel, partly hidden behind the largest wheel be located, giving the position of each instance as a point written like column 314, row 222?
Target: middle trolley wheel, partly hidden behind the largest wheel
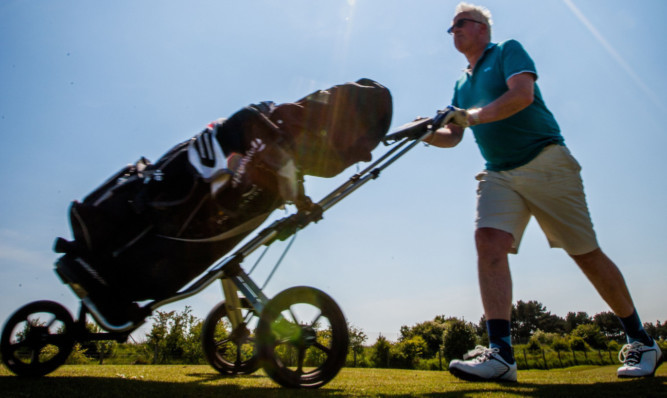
column 230, row 351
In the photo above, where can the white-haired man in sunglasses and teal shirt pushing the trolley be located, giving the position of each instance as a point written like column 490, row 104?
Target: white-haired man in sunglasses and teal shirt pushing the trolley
column 529, row 172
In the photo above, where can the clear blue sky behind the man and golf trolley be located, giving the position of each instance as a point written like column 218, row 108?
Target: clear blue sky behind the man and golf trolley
column 87, row 87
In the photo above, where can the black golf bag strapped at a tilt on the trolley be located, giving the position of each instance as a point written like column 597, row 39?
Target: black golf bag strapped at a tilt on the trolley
column 153, row 227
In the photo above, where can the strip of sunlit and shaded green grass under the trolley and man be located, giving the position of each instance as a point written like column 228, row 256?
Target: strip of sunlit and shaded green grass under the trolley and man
column 134, row 381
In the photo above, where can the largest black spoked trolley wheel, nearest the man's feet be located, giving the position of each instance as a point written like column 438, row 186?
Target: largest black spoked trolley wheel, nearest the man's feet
column 302, row 338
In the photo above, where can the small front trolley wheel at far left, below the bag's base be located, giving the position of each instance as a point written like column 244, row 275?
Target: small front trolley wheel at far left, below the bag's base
column 37, row 338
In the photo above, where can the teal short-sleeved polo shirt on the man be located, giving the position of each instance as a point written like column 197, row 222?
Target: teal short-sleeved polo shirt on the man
column 515, row 141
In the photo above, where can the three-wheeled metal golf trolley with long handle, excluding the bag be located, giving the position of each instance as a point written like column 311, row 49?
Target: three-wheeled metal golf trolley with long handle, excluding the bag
column 299, row 337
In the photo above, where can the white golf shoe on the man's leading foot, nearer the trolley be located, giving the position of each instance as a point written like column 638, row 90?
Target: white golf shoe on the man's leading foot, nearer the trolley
column 483, row 364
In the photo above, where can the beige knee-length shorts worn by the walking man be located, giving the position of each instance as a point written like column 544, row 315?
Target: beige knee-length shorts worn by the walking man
column 550, row 188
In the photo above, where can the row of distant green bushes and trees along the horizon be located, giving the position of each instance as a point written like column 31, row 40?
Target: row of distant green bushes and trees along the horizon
column 541, row 341
